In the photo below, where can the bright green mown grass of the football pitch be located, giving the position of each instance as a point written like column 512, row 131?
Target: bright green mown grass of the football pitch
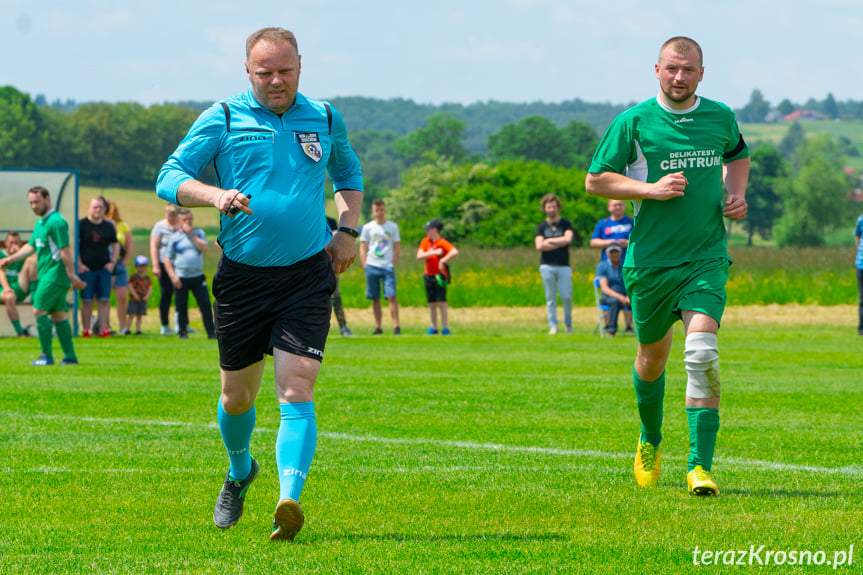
column 497, row 450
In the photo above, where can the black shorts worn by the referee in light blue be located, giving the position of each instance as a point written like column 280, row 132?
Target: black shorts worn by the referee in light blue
column 257, row 309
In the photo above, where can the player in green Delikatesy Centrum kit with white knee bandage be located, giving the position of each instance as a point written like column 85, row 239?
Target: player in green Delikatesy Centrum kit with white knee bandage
column 670, row 156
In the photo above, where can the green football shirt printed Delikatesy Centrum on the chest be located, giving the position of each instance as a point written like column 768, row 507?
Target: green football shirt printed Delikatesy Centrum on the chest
column 651, row 140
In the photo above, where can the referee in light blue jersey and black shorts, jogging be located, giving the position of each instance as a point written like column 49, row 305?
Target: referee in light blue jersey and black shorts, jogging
column 271, row 148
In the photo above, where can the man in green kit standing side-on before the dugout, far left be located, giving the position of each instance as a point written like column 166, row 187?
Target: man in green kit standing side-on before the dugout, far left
column 55, row 268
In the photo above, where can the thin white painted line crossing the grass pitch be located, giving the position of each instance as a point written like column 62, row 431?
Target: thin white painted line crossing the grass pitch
column 466, row 445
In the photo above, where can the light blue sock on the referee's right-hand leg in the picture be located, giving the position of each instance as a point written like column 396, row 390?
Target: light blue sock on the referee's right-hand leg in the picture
column 295, row 447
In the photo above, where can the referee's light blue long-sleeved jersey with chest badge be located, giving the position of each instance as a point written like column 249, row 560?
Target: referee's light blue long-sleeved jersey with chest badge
column 281, row 162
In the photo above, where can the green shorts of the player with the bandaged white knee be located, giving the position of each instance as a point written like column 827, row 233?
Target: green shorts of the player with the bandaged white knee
column 659, row 295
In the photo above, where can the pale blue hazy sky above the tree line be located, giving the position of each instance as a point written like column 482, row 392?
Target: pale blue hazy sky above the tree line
column 152, row 51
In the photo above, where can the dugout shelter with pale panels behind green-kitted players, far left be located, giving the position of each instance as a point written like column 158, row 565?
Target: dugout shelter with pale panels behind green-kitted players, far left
column 16, row 216
